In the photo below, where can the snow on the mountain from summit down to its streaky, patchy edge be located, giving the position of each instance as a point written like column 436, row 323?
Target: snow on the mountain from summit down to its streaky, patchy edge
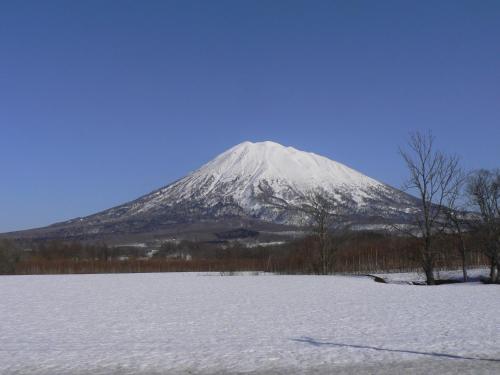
column 229, row 184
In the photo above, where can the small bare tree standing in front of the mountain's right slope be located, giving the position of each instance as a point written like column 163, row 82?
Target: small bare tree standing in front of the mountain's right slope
column 326, row 213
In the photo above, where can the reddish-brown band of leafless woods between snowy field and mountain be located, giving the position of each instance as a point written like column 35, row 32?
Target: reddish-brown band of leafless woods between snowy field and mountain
column 355, row 252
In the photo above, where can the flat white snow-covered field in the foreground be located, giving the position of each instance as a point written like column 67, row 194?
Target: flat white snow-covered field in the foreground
column 210, row 324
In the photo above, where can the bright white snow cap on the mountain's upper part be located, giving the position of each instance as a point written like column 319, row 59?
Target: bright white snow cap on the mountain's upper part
column 238, row 172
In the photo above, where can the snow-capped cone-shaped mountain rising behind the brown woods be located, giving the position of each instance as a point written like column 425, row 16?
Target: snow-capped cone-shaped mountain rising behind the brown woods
column 229, row 188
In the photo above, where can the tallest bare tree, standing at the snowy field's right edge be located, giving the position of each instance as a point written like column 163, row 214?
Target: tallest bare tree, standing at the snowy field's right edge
column 432, row 177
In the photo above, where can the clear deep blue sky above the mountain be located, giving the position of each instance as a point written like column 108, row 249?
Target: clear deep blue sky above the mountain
column 103, row 101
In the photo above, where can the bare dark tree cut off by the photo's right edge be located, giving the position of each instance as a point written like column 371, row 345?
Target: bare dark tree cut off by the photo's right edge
column 483, row 188
